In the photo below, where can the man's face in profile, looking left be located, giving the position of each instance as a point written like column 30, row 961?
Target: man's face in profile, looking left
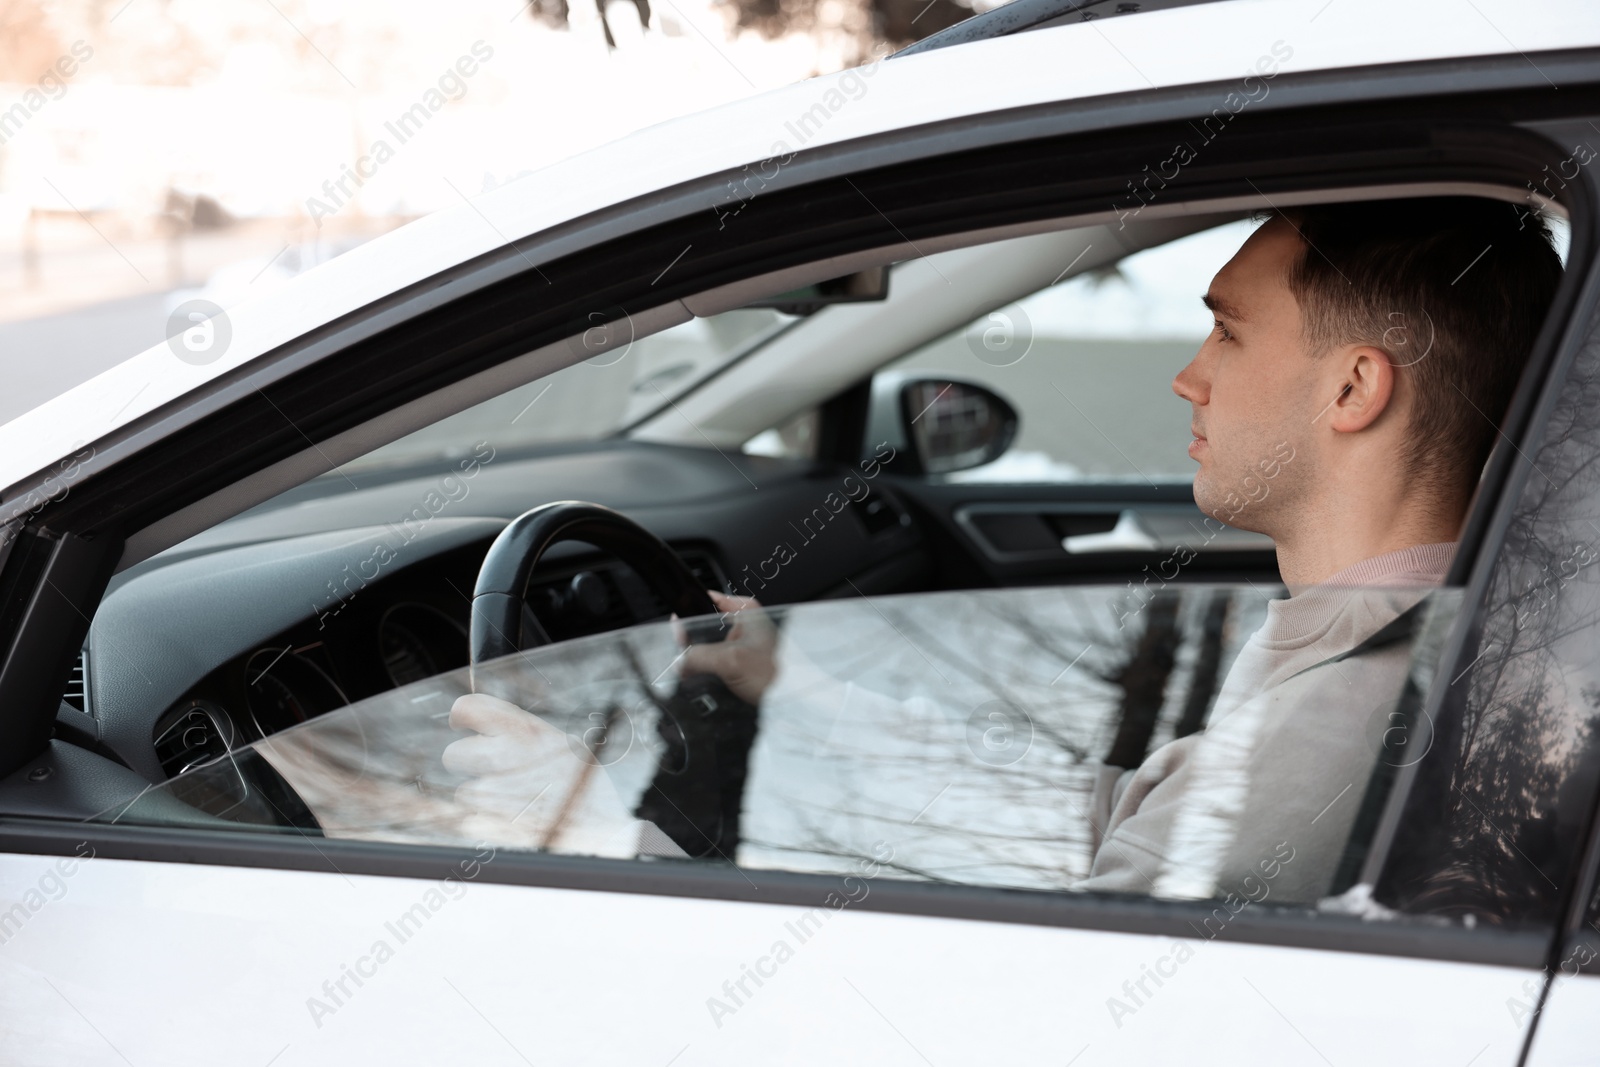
column 1254, row 388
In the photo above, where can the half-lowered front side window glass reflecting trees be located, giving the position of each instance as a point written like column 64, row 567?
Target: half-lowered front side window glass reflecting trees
column 975, row 738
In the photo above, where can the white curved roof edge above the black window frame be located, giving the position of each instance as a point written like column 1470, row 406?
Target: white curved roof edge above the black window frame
column 1167, row 49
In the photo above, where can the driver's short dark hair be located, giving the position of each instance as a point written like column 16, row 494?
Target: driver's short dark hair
column 1463, row 279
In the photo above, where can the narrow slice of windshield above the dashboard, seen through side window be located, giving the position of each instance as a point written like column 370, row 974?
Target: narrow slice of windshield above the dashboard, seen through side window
column 591, row 399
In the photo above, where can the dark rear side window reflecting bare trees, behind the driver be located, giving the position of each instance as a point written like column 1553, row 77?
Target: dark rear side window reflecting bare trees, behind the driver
column 1502, row 805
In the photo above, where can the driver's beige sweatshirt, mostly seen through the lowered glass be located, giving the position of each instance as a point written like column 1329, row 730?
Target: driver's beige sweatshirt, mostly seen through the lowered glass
column 1284, row 762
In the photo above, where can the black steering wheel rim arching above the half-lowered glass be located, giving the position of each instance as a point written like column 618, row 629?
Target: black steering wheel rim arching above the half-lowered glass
column 498, row 621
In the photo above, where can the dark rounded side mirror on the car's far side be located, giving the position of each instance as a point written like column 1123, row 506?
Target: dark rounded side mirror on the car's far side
column 953, row 426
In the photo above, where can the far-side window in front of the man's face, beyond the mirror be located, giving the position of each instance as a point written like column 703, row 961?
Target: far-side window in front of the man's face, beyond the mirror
column 1089, row 366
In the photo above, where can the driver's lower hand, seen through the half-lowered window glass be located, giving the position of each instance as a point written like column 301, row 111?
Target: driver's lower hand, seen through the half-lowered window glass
column 530, row 785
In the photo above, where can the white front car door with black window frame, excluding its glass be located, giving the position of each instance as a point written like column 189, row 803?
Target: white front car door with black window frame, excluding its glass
column 167, row 943
